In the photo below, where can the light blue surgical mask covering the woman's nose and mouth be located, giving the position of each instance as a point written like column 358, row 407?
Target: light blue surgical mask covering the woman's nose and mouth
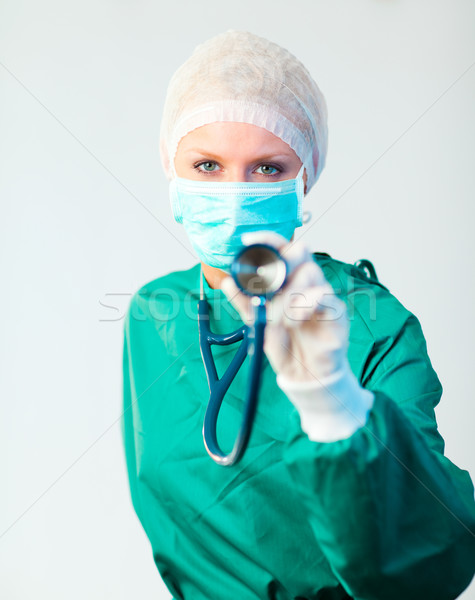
column 216, row 214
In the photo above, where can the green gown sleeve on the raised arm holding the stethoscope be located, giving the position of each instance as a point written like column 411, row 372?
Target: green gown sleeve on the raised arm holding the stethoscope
column 410, row 532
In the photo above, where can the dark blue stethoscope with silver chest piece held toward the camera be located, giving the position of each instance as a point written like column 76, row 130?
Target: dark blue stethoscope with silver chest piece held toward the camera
column 260, row 271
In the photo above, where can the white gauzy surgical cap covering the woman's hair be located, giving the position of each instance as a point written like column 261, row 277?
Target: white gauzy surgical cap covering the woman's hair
column 241, row 77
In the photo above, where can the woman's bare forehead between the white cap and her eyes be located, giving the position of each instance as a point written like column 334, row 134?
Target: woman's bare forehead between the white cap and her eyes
column 232, row 139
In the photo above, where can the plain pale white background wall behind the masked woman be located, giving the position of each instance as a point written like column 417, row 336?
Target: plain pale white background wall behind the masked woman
column 85, row 217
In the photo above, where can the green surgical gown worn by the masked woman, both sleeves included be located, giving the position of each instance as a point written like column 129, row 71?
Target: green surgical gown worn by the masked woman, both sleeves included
column 381, row 515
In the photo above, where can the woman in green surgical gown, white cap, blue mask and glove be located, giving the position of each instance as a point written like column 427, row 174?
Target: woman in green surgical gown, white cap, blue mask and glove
column 344, row 490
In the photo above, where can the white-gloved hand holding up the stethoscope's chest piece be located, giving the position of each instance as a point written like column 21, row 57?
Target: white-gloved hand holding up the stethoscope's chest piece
column 306, row 342
